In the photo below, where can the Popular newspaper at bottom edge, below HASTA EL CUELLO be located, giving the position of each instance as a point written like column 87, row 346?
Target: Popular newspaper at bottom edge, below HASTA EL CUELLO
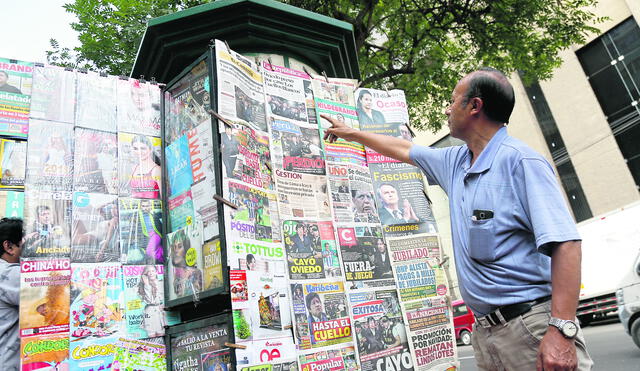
column 336, row 359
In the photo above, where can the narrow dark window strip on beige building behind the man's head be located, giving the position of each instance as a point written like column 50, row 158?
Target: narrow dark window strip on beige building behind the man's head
column 564, row 166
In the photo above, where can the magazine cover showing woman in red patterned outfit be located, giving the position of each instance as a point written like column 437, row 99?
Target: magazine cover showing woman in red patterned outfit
column 139, row 165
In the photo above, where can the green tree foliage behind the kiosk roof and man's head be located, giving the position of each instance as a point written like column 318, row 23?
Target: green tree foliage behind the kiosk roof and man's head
column 420, row 46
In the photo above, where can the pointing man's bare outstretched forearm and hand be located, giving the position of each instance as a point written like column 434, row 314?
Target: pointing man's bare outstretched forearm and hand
column 389, row 146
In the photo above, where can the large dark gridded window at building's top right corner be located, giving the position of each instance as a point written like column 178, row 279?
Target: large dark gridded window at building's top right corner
column 612, row 65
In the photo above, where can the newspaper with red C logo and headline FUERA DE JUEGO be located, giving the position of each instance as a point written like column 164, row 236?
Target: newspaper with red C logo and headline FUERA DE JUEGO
column 365, row 257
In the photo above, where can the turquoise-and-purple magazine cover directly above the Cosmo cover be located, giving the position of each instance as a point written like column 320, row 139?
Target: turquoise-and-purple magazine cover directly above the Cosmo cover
column 141, row 231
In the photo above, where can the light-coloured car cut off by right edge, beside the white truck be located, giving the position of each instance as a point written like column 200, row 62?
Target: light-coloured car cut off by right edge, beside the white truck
column 628, row 297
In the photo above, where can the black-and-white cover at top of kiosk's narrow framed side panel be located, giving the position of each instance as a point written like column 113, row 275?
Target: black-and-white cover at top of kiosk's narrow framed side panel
column 186, row 103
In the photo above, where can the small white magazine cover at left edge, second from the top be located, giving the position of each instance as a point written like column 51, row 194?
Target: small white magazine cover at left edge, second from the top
column 13, row 163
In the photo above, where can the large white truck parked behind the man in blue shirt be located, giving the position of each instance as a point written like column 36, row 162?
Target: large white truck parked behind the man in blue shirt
column 609, row 241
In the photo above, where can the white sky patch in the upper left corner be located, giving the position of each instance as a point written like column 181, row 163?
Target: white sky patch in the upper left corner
column 29, row 24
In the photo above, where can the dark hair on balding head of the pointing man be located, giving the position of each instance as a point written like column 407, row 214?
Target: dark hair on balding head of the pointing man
column 496, row 93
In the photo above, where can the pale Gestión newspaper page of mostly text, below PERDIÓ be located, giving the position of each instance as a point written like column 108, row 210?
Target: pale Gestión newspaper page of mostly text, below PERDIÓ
column 302, row 195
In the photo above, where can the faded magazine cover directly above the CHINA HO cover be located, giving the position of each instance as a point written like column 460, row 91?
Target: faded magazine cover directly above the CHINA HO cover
column 47, row 223
